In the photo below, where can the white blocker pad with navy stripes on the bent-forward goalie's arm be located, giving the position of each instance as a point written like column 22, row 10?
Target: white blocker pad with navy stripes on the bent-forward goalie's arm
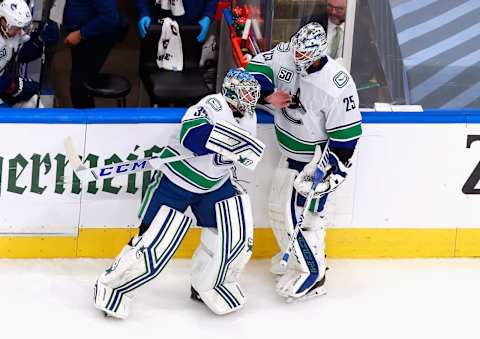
column 235, row 144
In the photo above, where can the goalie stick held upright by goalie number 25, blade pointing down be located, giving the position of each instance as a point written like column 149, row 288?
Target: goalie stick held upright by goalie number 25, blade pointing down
column 319, row 175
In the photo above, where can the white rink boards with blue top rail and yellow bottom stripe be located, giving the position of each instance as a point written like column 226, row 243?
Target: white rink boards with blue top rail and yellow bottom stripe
column 413, row 191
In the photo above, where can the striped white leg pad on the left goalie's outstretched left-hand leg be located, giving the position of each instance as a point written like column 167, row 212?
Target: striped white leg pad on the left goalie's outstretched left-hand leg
column 138, row 264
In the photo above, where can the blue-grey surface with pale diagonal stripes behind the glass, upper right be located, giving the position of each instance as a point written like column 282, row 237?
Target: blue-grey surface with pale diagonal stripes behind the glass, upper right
column 439, row 43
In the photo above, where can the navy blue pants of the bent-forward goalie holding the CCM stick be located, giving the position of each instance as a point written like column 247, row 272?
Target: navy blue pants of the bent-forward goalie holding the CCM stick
column 162, row 191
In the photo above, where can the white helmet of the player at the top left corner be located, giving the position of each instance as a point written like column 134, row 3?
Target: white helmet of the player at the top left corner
column 16, row 18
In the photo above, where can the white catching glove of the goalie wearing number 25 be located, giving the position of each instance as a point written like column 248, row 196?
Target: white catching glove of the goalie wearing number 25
column 336, row 172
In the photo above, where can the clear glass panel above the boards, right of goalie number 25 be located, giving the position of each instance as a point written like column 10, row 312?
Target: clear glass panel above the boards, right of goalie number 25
column 399, row 58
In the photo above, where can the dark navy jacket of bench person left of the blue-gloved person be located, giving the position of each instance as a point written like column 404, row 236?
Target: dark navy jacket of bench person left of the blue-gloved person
column 91, row 17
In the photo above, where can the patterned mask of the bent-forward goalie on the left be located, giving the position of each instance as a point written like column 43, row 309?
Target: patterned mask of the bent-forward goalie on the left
column 241, row 90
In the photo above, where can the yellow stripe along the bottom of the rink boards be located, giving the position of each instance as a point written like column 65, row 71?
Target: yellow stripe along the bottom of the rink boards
column 340, row 243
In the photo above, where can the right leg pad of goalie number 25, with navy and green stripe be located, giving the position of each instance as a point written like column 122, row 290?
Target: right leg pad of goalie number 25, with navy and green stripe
column 306, row 275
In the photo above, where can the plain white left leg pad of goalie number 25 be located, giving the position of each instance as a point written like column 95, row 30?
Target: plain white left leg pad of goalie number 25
column 279, row 213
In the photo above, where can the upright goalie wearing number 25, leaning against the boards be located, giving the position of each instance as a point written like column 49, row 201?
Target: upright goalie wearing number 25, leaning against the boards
column 315, row 104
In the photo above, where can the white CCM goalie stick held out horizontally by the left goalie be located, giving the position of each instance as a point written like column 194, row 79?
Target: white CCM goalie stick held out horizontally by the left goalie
column 109, row 171
